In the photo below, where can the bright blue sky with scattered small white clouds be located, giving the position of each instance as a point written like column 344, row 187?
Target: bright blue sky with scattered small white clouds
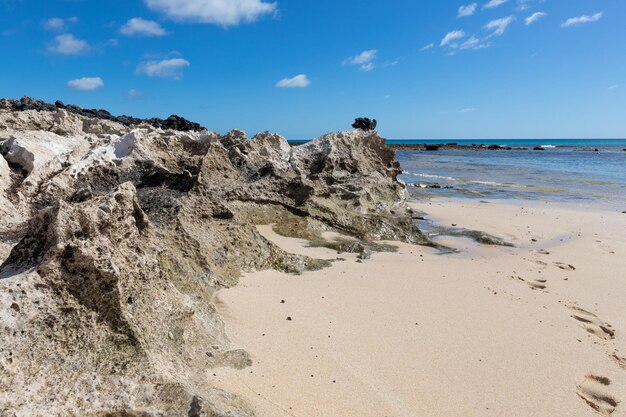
column 424, row 68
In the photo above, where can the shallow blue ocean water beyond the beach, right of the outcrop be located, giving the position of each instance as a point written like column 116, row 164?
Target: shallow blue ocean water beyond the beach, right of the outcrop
column 589, row 172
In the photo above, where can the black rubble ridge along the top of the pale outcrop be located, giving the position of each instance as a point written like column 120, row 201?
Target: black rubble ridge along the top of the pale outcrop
column 173, row 122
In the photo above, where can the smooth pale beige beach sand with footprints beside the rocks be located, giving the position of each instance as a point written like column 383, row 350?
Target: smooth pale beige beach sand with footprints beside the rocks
column 489, row 331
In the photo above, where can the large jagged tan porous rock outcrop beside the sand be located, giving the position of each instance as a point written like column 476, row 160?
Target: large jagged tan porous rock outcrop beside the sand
column 114, row 239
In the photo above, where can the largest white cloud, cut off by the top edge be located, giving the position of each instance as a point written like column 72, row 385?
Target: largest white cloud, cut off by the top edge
column 219, row 12
